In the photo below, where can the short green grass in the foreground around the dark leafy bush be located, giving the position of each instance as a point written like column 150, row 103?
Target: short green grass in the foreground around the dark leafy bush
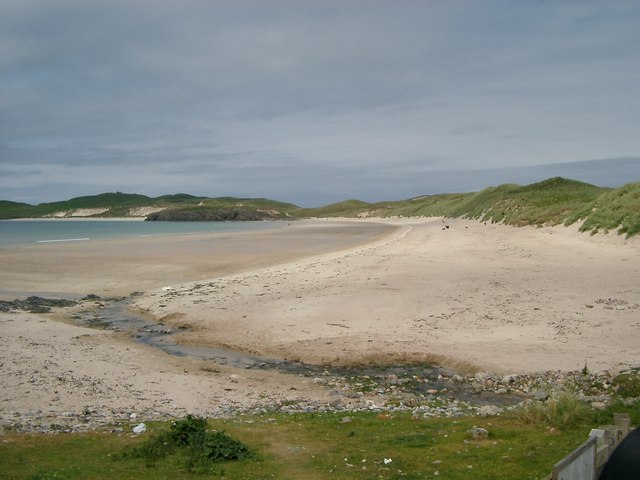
column 320, row 446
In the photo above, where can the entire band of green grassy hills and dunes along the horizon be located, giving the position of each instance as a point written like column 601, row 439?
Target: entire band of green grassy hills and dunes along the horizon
column 550, row 202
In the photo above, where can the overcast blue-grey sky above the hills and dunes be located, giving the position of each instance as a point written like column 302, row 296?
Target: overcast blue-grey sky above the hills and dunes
column 315, row 101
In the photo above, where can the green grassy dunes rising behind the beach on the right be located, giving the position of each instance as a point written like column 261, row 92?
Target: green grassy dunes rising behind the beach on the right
column 550, row 202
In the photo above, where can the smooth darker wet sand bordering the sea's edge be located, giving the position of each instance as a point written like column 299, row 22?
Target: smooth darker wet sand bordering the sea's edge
column 120, row 267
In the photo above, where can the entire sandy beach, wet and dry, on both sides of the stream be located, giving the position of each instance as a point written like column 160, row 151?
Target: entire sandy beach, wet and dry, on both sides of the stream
column 489, row 297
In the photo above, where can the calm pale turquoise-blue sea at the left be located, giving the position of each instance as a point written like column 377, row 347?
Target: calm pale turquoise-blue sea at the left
column 43, row 232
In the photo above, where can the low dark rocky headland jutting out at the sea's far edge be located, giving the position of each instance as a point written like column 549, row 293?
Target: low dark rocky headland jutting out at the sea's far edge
column 212, row 215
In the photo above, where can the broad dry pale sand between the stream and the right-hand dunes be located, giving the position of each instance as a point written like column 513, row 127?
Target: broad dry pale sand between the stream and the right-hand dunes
column 500, row 298
